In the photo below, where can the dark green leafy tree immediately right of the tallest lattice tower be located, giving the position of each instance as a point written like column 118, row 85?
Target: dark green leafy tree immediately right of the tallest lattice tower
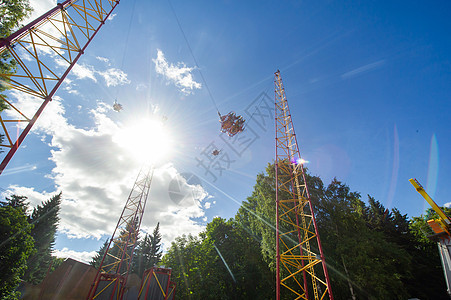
column 373, row 267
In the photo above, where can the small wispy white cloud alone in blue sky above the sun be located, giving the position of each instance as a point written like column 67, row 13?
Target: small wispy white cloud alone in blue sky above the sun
column 179, row 74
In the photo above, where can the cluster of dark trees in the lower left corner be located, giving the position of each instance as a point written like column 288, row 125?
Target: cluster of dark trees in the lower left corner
column 26, row 242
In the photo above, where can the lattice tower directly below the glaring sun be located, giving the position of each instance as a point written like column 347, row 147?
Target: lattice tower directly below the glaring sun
column 114, row 268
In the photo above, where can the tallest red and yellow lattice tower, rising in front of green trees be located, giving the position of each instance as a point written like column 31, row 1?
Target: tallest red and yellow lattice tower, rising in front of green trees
column 300, row 263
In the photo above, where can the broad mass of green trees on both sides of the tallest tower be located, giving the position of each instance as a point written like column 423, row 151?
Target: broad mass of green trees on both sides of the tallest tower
column 372, row 252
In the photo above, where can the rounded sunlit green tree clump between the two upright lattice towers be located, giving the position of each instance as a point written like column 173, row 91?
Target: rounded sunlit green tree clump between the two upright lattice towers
column 221, row 263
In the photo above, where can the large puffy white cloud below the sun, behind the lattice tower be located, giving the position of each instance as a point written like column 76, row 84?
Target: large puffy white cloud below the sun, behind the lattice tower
column 95, row 176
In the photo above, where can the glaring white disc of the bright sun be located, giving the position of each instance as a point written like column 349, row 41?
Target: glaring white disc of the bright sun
column 147, row 140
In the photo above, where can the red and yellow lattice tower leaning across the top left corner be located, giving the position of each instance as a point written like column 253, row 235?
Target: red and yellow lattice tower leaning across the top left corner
column 44, row 51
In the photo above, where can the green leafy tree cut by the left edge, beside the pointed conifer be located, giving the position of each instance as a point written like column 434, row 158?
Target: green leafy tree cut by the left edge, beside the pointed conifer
column 16, row 245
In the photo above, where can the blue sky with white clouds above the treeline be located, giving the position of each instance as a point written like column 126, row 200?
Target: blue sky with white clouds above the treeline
column 368, row 84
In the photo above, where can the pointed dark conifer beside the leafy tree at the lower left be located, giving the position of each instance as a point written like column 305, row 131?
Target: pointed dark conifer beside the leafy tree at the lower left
column 45, row 220
